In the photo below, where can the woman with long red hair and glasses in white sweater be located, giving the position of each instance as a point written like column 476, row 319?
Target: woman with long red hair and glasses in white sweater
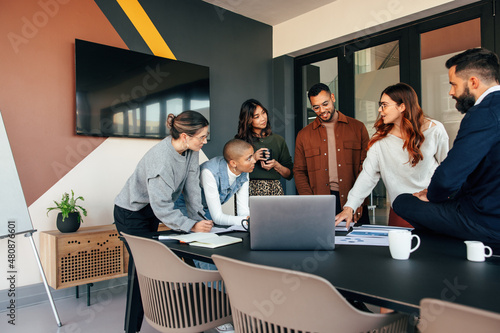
column 405, row 150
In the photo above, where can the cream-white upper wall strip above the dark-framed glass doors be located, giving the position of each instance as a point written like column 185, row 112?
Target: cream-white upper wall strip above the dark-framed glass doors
column 343, row 20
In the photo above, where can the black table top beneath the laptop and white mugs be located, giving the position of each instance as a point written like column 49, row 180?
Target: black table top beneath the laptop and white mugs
column 437, row 269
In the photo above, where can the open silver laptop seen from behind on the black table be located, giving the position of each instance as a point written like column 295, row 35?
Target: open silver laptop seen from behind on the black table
column 292, row 222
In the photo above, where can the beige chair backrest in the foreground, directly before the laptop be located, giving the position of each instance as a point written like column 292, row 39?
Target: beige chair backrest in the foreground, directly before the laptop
column 267, row 299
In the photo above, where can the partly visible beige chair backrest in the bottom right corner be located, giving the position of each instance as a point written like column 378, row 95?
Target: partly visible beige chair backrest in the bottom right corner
column 440, row 316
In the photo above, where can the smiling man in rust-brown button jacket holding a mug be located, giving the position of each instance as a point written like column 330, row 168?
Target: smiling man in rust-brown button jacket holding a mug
column 329, row 152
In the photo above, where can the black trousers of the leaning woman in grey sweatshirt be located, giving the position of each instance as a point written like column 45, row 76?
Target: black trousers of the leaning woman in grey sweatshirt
column 134, row 223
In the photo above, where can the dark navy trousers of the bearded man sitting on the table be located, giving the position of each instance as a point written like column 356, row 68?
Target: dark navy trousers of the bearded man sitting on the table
column 445, row 218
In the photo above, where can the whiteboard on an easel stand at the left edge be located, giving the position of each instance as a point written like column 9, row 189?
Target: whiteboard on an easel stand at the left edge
column 13, row 208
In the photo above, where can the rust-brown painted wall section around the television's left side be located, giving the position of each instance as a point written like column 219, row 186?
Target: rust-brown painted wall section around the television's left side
column 37, row 97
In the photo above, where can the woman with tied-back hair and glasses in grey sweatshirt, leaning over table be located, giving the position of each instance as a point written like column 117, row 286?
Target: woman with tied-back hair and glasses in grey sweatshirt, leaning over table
column 166, row 170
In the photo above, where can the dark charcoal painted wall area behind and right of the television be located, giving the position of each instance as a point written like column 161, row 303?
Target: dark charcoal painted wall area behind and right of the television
column 238, row 51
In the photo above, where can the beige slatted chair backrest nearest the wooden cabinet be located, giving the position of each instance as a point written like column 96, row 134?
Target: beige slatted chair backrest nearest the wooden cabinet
column 177, row 297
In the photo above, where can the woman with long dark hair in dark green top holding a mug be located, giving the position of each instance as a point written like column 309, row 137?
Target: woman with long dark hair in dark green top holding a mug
column 254, row 127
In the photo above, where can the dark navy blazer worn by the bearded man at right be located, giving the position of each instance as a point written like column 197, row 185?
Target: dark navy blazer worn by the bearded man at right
column 471, row 171
